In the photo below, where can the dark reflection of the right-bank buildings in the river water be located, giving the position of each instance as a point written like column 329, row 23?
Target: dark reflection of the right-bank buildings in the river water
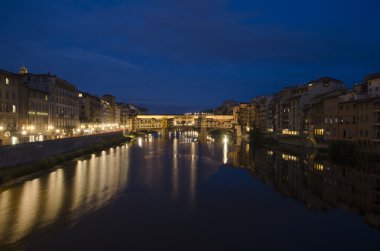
column 313, row 180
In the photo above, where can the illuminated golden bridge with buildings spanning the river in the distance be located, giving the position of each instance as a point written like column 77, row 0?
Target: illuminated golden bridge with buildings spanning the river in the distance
column 203, row 123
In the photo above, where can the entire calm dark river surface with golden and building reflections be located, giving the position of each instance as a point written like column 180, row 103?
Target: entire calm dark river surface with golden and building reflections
column 175, row 194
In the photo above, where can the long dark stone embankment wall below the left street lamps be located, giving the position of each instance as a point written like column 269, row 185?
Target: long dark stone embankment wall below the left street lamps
column 12, row 155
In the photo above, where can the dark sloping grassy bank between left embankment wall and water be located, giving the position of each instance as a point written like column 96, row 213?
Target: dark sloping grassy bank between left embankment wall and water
column 12, row 174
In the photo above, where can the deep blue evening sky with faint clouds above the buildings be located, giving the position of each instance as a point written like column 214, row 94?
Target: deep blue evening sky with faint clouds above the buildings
column 186, row 55
